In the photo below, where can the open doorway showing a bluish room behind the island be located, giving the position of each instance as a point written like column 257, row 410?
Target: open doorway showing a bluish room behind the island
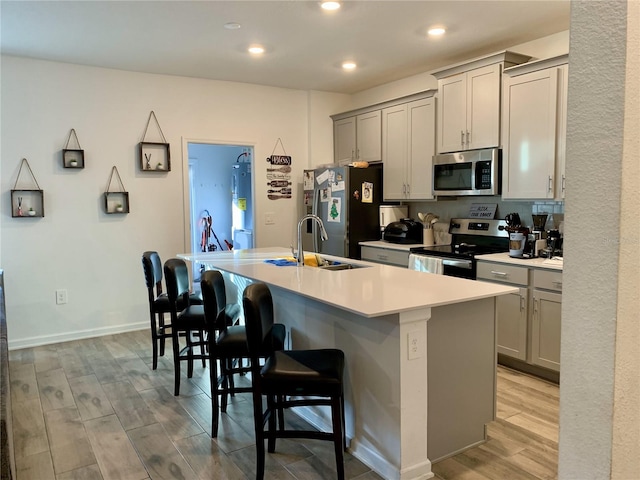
column 221, row 199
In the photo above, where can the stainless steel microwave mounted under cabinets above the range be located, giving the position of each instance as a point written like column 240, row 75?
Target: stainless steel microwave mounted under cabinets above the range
column 473, row 172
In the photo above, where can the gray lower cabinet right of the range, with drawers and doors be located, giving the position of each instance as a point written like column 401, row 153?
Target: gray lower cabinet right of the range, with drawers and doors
column 528, row 322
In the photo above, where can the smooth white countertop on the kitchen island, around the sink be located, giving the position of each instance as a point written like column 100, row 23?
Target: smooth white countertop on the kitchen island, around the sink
column 371, row 291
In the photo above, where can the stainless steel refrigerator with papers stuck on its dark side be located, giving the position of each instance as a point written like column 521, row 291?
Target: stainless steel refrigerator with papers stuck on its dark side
column 347, row 200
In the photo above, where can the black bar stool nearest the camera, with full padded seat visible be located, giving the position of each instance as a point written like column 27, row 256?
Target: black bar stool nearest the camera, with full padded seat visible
column 290, row 378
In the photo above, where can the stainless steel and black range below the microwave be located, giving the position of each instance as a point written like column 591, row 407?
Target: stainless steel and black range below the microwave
column 469, row 237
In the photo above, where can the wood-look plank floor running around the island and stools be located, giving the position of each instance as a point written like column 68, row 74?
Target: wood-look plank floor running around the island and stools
column 94, row 409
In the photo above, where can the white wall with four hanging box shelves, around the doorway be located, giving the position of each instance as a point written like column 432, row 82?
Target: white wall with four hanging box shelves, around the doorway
column 96, row 257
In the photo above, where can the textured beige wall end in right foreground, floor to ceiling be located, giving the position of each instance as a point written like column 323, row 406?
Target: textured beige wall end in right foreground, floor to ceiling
column 600, row 381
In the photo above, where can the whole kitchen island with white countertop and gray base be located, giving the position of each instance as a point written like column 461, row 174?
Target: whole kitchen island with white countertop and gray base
column 420, row 351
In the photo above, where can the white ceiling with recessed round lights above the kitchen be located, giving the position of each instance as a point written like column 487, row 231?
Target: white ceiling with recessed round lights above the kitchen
column 305, row 45
